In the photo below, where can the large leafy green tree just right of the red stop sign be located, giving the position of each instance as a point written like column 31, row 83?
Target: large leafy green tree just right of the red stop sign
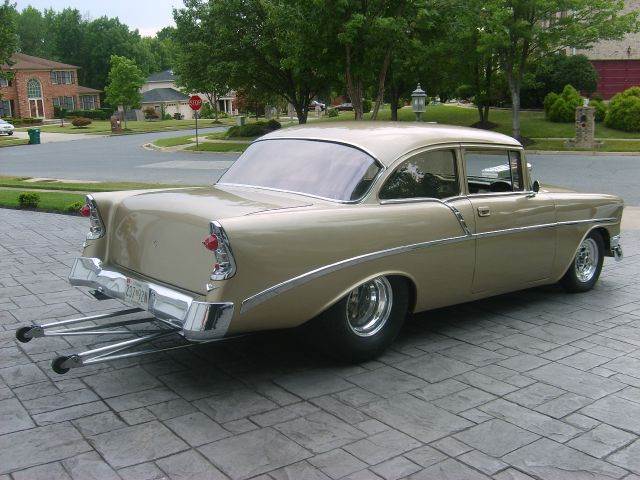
column 268, row 45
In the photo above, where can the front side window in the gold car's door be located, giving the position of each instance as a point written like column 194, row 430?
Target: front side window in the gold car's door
column 492, row 170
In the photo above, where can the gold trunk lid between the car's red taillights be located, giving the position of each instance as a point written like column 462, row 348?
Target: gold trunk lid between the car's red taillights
column 159, row 234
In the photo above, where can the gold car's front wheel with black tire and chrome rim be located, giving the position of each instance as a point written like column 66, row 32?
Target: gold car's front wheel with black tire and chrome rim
column 585, row 269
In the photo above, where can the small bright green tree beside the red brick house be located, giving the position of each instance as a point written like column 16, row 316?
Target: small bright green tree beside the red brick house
column 125, row 80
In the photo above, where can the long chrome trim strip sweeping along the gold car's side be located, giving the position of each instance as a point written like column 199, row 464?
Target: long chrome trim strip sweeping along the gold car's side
column 264, row 295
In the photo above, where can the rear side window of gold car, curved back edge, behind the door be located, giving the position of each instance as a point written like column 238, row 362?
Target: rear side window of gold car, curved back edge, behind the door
column 429, row 174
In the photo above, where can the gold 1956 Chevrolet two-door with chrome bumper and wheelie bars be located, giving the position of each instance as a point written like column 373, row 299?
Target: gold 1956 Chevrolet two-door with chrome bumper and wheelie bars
column 346, row 228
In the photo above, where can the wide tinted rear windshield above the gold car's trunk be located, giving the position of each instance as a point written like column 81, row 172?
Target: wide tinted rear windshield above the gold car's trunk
column 322, row 169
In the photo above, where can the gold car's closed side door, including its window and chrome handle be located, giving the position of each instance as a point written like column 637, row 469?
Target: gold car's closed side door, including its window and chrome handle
column 515, row 227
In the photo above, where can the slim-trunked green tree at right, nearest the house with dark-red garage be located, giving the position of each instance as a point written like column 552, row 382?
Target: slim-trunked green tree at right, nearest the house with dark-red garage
column 520, row 30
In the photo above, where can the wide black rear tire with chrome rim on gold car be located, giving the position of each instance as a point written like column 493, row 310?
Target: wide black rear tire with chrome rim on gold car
column 365, row 322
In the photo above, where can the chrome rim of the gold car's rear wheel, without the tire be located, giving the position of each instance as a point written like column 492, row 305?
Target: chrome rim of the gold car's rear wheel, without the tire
column 369, row 307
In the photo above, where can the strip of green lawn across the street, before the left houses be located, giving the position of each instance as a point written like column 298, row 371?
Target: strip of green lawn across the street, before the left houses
column 104, row 126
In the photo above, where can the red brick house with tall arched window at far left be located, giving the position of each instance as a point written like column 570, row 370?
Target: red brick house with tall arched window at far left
column 37, row 85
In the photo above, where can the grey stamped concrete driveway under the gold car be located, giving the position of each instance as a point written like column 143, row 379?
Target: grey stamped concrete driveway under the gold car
column 536, row 384
